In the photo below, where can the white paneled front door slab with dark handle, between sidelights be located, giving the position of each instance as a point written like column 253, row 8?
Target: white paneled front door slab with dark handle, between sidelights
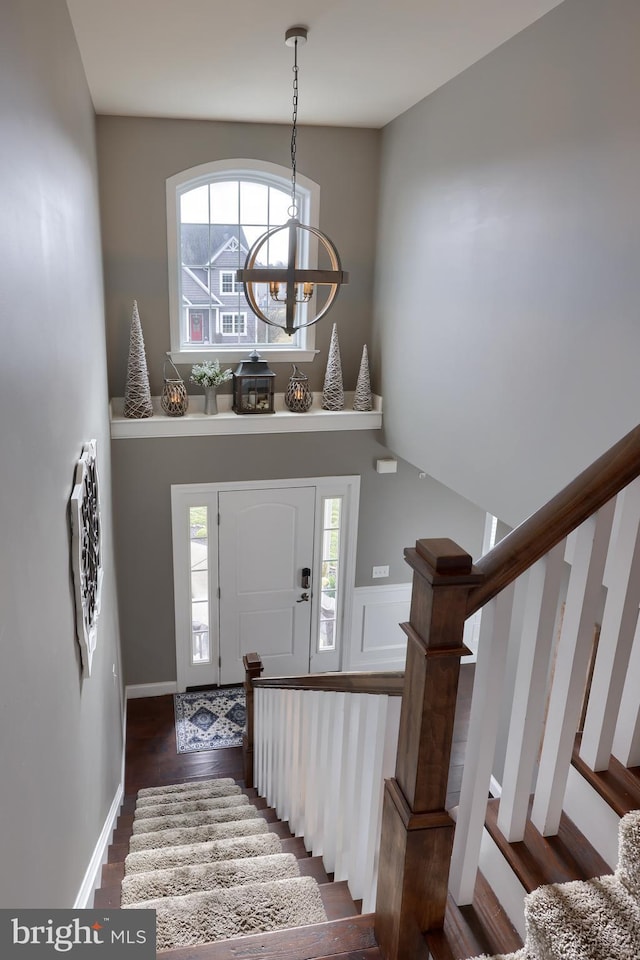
column 265, row 542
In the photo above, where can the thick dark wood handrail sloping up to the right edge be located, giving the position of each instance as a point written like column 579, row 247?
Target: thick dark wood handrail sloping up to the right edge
column 530, row 541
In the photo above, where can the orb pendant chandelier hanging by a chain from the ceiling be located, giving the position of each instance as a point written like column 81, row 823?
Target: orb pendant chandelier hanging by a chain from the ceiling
column 291, row 285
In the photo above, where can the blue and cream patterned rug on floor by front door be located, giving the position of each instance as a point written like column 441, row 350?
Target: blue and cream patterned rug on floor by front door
column 209, row 719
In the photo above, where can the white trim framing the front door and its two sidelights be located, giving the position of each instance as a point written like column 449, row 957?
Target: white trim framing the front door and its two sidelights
column 184, row 496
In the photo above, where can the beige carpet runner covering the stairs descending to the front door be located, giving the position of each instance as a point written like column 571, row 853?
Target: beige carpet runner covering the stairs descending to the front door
column 203, row 858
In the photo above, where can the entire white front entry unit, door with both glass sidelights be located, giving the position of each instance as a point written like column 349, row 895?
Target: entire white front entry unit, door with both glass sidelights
column 240, row 553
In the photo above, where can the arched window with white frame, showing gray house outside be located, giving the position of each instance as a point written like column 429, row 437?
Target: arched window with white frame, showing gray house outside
column 215, row 213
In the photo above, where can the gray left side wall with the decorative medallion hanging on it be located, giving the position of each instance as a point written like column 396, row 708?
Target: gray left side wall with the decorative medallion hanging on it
column 60, row 736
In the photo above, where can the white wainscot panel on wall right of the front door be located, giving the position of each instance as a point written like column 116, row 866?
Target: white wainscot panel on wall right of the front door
column 377, row 642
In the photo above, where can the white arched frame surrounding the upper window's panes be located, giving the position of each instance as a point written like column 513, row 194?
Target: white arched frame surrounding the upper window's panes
column 271, row 174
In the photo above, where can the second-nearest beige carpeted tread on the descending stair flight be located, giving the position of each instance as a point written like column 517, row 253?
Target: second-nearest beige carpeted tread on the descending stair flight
column 208, row 876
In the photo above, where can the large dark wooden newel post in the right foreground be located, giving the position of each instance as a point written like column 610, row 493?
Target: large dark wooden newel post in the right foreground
column 417, row 832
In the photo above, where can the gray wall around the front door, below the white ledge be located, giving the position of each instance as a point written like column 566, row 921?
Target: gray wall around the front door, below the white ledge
column 395, row 509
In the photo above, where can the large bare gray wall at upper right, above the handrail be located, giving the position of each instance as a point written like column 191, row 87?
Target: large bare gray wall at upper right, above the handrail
column 509, row 242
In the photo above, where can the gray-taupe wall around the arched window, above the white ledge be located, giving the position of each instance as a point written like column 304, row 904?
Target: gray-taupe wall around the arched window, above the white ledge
column 136, row 156
